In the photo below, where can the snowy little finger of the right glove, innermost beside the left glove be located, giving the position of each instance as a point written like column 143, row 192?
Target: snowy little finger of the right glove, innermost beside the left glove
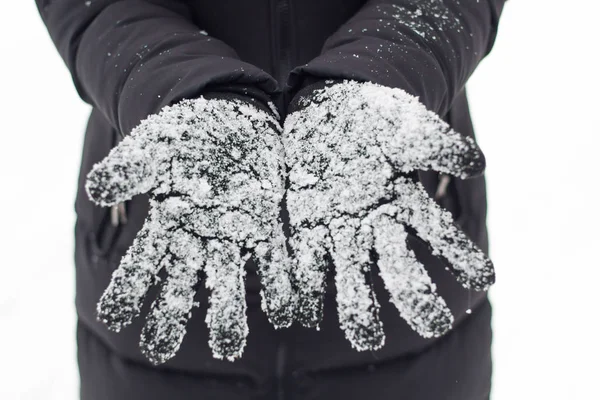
column 309, row 268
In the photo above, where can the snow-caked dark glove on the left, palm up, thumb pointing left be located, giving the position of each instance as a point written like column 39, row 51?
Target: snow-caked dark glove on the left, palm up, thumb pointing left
column 214, row 171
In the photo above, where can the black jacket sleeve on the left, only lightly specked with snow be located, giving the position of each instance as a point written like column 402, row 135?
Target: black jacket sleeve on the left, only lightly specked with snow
column 130, row 58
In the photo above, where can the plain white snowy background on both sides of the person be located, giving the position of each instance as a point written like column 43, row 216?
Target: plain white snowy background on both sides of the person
column 536, row 108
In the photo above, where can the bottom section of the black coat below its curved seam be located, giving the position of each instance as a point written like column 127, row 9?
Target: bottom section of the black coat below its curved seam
column 432, row 373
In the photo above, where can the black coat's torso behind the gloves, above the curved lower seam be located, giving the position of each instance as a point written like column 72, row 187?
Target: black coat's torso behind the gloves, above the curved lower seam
column 275, row 35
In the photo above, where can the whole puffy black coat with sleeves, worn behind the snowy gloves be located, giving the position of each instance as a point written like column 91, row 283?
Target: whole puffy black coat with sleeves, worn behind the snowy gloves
column 129, row 58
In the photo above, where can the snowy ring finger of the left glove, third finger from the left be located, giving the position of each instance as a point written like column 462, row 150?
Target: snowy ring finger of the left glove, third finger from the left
column 226, row 316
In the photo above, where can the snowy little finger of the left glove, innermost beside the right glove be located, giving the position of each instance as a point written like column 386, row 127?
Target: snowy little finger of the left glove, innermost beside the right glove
column 278, row 297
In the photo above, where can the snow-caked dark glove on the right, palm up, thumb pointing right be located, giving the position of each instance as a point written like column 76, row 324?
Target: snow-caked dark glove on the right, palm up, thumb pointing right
column 352, row 150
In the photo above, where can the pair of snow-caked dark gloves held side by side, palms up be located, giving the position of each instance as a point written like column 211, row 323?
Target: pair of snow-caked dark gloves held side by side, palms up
column 217, row 170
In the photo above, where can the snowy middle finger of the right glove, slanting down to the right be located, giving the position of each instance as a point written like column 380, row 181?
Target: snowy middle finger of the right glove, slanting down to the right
column 407, row 281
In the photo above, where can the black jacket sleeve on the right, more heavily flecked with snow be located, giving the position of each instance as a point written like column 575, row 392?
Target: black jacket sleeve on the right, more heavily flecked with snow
column 428, row 48
